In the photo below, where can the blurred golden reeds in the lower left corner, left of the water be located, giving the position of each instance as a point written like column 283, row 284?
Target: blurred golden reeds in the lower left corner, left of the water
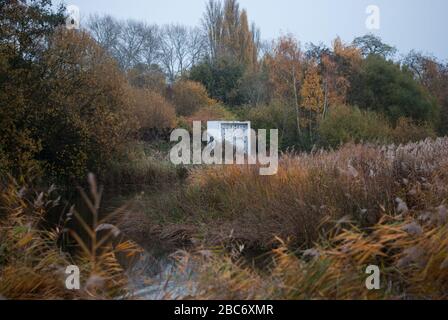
column 33, row 258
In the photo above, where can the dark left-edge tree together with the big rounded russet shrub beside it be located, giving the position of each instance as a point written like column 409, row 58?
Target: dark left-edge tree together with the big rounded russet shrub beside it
column 65, row 107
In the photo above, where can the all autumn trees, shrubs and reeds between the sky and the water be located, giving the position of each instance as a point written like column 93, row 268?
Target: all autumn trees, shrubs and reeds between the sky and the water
column 362, row 175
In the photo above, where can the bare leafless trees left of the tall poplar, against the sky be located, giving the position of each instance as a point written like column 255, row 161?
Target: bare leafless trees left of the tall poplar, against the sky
column 175, row 48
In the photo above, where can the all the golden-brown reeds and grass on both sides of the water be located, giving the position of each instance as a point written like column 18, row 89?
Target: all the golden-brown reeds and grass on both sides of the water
column 320, row 222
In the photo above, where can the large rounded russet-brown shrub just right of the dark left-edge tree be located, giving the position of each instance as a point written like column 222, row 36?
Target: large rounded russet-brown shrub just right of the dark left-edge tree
column 86, row 115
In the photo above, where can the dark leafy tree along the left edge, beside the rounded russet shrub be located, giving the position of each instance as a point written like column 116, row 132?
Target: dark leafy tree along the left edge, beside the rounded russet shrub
column 24, row 29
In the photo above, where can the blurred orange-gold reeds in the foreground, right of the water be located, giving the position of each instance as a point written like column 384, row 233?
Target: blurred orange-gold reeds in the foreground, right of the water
column 409, row 249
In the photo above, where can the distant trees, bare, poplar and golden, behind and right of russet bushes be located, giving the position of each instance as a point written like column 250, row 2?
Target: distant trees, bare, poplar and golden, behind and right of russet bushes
column 281, row 84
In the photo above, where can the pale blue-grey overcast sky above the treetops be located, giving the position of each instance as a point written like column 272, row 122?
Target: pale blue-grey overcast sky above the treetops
column 406, row 24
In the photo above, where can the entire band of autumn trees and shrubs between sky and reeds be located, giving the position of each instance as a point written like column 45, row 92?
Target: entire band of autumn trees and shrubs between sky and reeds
column 72, row 100
